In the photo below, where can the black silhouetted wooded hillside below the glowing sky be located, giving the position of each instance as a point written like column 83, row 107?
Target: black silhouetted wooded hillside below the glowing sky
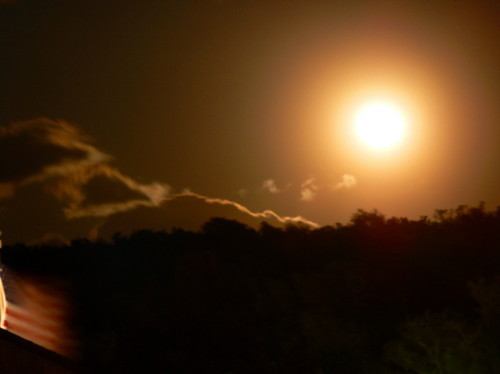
column 376, row 295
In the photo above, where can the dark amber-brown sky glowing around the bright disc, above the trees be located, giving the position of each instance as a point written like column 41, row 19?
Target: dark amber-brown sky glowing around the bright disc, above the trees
column 241, row 109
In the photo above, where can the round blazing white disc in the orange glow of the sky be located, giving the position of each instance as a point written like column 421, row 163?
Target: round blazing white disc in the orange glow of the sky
column 380, row 125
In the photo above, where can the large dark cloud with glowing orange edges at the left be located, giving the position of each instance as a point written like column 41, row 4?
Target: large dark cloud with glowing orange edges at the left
column 58, row 155
